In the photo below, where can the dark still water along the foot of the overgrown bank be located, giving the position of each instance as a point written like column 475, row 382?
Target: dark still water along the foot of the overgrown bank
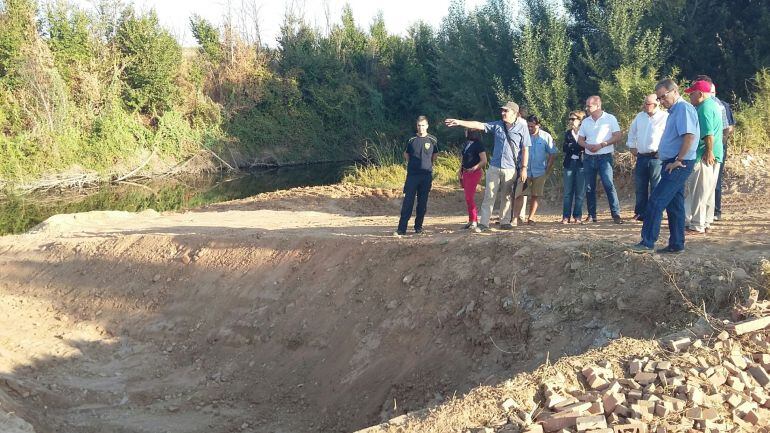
column 18, row 214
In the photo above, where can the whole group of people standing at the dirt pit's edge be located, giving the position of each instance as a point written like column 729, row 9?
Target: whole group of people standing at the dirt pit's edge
column 678, row 164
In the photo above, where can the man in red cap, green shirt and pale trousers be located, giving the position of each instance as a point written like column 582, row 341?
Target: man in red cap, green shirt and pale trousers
column 701, row 185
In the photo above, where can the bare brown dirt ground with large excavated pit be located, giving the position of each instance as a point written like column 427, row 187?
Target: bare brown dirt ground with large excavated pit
column 299, row 311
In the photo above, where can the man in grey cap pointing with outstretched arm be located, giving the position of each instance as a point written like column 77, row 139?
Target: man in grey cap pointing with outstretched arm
column 508, row 164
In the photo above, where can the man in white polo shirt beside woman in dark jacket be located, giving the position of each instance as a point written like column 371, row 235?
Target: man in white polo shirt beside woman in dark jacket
column 598, row 134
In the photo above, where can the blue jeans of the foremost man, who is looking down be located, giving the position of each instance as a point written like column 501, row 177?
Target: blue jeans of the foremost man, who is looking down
column 668, row 196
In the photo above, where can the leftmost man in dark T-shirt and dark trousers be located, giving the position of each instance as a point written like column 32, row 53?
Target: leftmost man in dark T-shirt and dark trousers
column 420, row 154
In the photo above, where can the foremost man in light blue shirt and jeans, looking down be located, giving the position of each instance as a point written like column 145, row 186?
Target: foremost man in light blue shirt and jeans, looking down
column 677, row 154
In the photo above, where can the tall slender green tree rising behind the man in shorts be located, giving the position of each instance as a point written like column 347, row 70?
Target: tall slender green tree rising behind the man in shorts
column 544, row 56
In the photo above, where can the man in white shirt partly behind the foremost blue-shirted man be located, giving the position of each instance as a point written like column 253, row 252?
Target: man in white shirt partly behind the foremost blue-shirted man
column 643, row 141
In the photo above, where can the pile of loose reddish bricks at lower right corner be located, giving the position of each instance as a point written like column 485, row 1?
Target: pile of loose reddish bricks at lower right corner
column 720, row 385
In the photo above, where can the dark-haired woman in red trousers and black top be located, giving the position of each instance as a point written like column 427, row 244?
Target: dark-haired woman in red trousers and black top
column 471, row 170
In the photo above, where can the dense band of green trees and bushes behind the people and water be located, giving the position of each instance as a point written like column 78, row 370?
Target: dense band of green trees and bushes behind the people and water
column 107, row 89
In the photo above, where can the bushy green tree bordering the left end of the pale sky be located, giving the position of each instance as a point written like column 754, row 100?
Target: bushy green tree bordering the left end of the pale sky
column 152, row 62
